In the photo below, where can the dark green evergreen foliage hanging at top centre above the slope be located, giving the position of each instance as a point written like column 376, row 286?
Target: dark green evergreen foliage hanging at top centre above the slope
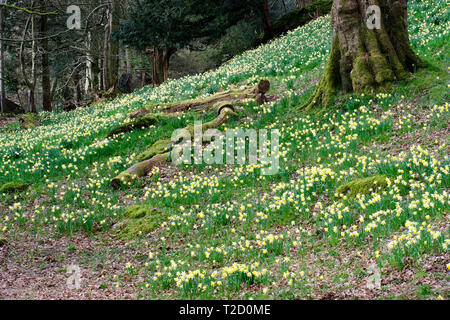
column 176, row 23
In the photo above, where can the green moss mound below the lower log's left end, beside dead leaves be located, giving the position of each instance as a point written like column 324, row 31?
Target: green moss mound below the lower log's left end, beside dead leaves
column 140, row 220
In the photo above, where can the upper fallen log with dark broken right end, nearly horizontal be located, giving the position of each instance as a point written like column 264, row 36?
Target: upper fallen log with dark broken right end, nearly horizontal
column 233, row 96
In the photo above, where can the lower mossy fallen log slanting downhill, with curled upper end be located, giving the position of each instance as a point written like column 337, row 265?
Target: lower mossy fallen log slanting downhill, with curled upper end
column 159, row 152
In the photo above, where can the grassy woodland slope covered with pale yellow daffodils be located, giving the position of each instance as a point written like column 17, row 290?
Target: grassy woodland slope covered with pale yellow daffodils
column 230, row 232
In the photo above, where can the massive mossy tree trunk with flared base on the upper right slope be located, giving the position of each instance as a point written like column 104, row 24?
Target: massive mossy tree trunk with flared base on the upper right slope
column 364, row 59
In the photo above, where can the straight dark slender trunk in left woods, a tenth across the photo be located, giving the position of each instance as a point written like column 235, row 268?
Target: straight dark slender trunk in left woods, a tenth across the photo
column 46, row 87
